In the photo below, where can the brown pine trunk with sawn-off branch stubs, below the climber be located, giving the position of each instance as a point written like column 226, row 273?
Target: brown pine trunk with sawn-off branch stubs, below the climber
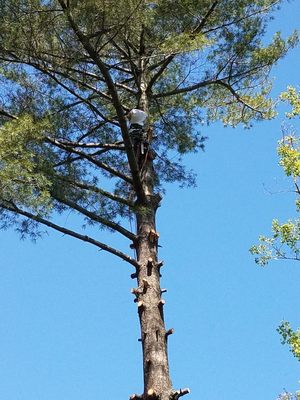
column 157, row 383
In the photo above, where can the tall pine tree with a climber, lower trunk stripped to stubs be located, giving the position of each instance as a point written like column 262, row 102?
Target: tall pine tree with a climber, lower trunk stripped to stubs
column 71, row 71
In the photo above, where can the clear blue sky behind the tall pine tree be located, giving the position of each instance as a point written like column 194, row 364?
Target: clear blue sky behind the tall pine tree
column 68, row 324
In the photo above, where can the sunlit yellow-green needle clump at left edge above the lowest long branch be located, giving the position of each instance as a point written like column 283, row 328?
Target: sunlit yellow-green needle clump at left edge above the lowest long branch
column 21, row 176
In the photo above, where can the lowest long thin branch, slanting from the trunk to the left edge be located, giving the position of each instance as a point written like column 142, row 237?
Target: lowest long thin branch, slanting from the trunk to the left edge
column 13, row 208
